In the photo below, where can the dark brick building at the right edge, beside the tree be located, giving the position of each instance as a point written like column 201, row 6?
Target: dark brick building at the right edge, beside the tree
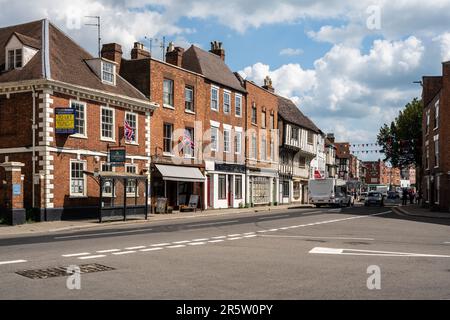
column 436, row 134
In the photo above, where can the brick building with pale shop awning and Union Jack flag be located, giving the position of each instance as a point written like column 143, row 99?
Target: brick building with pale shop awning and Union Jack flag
column 177, row 140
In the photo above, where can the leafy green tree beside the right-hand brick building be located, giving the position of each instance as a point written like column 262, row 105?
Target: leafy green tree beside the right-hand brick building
column 401, row 141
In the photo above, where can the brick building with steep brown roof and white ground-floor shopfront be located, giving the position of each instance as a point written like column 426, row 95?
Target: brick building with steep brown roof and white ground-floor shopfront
column 224, row 126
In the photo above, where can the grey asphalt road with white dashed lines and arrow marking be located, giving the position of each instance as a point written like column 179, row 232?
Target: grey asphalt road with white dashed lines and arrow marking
column 294, row 254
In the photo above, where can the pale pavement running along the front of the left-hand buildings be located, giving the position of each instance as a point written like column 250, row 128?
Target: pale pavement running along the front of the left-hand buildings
column 56, row 226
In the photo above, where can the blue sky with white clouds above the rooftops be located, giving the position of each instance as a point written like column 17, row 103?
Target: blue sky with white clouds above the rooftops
column 348, row 65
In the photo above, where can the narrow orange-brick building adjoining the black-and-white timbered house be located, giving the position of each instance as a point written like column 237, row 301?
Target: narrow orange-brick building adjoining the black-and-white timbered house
column 262, row 143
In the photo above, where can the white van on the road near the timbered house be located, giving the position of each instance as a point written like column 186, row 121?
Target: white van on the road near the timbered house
column 329, row 192
